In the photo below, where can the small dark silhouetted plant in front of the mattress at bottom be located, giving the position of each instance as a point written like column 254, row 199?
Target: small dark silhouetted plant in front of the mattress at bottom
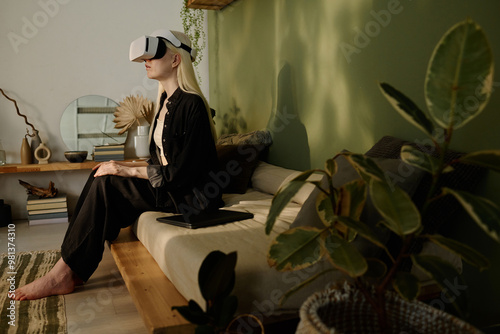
column 216, row 279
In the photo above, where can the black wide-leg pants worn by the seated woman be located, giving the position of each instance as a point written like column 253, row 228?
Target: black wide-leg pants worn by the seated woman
column 106, row 204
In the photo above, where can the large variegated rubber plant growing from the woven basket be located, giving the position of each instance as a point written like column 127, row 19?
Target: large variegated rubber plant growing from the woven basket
column 457, row 88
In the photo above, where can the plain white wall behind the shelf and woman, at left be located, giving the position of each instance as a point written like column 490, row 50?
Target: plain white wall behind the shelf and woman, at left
column 52, row 52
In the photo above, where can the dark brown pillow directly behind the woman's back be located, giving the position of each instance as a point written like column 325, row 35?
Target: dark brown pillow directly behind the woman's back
column 237, row 164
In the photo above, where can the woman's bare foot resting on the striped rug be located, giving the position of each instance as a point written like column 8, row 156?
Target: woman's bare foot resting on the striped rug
column 60, row 280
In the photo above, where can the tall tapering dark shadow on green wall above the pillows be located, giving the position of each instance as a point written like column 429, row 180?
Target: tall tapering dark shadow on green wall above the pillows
column 290, row 146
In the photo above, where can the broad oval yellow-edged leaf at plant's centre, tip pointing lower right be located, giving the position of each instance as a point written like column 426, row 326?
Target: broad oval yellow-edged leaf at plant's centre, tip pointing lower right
column 396, row 207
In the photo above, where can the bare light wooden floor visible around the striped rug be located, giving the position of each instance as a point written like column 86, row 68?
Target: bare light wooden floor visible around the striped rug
column 103, row 304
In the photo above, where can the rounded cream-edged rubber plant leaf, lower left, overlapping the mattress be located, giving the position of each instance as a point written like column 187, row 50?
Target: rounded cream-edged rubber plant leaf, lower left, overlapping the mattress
column 295, row 249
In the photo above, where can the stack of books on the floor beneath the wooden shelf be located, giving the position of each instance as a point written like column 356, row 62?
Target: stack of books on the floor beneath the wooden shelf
column 47, row 210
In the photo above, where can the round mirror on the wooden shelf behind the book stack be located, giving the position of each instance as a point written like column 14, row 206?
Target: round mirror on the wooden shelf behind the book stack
column 88, row 122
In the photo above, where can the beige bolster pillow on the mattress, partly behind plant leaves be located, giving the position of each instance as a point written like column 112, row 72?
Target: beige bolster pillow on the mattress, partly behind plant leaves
column 270, row 178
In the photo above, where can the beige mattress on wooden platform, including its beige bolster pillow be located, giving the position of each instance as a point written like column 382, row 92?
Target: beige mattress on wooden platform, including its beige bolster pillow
column 179, row 251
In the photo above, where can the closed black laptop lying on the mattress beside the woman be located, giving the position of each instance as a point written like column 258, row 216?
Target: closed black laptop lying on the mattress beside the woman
column 205, row 219
